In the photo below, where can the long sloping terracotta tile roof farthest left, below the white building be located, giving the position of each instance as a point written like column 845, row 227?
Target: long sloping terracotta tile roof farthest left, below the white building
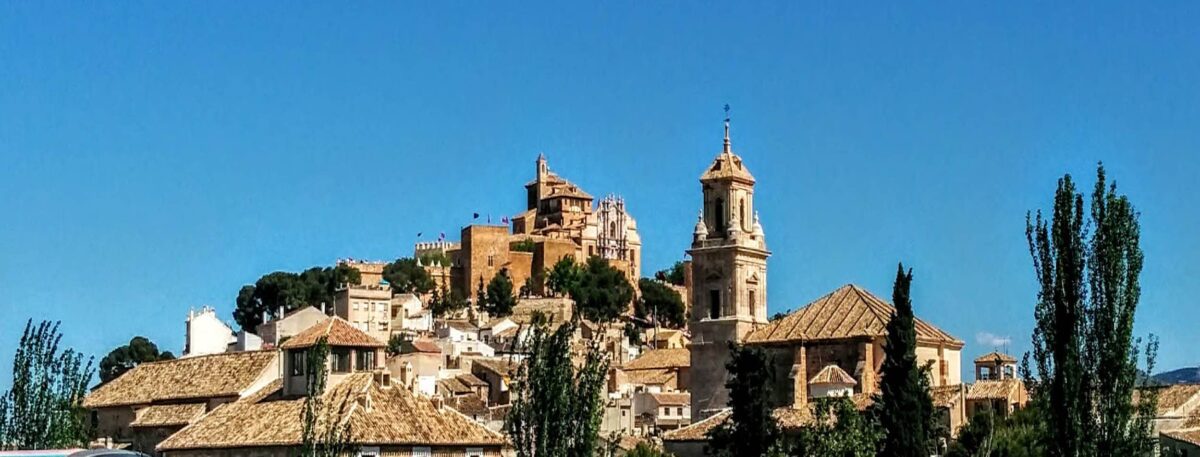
column 201, row 377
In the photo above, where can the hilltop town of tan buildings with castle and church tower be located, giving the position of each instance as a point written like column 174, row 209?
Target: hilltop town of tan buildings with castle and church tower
column 430, row 370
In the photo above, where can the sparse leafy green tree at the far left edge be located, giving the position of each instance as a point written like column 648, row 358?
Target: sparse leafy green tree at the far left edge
column 43, row 410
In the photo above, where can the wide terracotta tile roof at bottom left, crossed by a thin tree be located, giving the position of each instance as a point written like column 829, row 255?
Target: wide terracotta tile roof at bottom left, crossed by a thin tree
column 394, row 418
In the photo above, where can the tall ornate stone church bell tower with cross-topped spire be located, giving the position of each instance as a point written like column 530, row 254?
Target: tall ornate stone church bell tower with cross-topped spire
column 729, row 268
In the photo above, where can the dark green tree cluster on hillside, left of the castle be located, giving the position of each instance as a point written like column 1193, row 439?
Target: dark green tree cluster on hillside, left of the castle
column 290, row 291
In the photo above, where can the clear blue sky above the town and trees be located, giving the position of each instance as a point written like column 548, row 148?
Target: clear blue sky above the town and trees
column 158, row 157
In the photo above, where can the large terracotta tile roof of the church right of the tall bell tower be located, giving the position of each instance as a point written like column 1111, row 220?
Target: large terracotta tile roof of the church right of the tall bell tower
column 849, row 312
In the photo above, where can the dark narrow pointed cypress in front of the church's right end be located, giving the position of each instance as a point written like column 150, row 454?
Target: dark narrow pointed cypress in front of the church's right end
column 905, row 406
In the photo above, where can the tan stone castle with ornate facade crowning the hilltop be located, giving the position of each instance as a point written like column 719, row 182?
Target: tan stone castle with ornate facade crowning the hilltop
column 561, row 220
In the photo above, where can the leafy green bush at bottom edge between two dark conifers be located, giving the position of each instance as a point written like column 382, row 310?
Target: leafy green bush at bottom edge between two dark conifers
column 838, row 431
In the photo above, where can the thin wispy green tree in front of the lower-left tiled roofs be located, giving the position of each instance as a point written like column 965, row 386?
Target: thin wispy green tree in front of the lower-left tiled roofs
column 325, row 435
